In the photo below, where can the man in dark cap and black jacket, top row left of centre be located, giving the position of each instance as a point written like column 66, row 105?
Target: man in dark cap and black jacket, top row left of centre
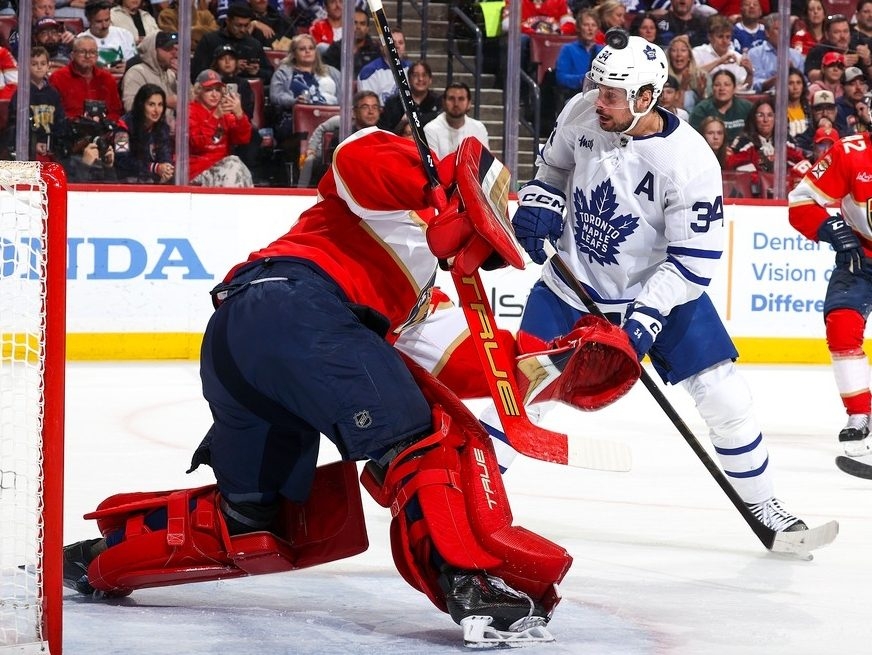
column 252, row 60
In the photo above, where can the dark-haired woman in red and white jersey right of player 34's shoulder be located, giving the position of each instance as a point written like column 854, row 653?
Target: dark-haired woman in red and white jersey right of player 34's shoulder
column 753, row 150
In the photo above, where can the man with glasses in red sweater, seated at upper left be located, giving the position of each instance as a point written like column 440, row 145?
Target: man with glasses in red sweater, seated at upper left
column 82, row 80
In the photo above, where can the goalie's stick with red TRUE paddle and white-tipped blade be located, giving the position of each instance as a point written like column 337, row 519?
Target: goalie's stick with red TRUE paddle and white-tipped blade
column 497, row 366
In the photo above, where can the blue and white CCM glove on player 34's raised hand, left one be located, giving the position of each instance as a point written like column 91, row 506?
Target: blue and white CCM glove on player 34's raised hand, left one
column 539, row 217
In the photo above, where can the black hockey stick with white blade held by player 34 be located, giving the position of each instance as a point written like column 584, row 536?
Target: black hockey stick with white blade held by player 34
column 800, row 542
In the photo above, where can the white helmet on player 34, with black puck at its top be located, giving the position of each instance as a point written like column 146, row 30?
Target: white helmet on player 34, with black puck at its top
column 630, row 63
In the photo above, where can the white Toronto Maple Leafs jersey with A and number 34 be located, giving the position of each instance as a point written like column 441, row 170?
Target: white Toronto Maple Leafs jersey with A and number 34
column 644, row 215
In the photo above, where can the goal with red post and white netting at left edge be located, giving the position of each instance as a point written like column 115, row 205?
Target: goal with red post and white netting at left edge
column 33, row 253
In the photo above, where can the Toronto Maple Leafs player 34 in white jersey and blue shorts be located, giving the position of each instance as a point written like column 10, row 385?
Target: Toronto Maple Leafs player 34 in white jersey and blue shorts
column 631, row 197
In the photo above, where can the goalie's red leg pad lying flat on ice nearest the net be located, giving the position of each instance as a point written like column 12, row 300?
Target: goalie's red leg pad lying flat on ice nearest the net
column 195, row 546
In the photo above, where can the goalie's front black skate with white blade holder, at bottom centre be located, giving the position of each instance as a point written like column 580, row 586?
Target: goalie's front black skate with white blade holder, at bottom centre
column 491, row 613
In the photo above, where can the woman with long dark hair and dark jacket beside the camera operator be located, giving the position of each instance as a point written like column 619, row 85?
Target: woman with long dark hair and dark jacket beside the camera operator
column 143, row 146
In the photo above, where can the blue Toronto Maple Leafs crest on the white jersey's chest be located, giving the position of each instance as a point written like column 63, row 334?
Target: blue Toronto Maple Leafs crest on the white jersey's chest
column 599, row 229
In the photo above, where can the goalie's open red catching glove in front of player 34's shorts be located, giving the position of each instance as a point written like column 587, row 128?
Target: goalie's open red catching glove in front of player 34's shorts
column 591, row 367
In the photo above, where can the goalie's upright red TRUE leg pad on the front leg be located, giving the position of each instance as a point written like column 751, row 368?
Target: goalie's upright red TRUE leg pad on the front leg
column 450, row 508
